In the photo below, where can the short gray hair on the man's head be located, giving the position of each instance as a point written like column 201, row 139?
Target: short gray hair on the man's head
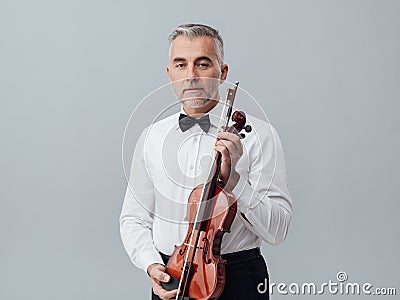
column 198, row 30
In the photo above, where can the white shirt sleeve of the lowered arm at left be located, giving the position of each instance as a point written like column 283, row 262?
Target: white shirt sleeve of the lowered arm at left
column 136, row 219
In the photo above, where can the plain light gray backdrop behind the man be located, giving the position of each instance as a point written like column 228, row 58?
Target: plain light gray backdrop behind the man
column 326, row 72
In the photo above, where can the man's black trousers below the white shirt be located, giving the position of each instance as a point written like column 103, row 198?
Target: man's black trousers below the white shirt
column 244, row 271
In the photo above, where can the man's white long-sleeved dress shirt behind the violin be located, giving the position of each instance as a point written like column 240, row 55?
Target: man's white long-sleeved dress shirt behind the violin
column 168, row 163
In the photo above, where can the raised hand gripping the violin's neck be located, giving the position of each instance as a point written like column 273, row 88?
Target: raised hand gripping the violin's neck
column 230, row 147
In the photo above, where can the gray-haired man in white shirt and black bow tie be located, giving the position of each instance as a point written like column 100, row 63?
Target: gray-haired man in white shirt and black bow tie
column 168, row 163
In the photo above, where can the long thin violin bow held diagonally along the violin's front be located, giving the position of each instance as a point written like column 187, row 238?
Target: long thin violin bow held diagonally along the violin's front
column 223, row 112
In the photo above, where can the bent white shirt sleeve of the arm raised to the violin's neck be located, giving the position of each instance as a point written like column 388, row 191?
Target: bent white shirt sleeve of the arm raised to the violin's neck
column 263, row 199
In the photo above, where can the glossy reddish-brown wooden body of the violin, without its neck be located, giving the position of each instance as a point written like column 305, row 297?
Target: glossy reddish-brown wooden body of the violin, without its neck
column 207, row 270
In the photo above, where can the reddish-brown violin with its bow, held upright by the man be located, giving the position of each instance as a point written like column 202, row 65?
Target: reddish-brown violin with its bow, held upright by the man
column 196, row 267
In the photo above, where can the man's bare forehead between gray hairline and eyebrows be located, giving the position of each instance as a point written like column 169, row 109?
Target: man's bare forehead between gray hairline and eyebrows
column 191, row 47
